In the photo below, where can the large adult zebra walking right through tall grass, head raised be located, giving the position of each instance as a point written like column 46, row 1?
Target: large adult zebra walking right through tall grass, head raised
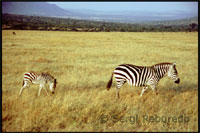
column 143, row 75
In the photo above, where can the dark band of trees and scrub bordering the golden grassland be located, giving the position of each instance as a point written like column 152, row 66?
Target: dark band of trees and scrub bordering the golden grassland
column 22, row 22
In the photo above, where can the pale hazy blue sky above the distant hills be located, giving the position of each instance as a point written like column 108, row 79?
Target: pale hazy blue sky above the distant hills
column 191, row 7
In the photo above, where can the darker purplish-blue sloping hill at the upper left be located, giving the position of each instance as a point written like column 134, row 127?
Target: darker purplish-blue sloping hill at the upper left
column 33, row 8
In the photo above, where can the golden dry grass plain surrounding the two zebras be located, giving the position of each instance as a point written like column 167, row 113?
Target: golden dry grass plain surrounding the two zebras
column 82, row 63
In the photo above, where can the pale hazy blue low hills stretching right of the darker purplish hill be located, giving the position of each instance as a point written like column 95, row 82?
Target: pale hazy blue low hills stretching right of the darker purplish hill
column 128, row 16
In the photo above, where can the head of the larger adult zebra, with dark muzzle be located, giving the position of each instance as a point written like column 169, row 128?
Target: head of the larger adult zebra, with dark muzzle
column 173, row 74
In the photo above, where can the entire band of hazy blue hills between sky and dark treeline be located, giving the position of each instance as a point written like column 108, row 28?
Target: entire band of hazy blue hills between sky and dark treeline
column 51, row 10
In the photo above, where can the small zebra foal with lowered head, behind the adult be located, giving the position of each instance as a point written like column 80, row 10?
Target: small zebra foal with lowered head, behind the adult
column 39, row 78
